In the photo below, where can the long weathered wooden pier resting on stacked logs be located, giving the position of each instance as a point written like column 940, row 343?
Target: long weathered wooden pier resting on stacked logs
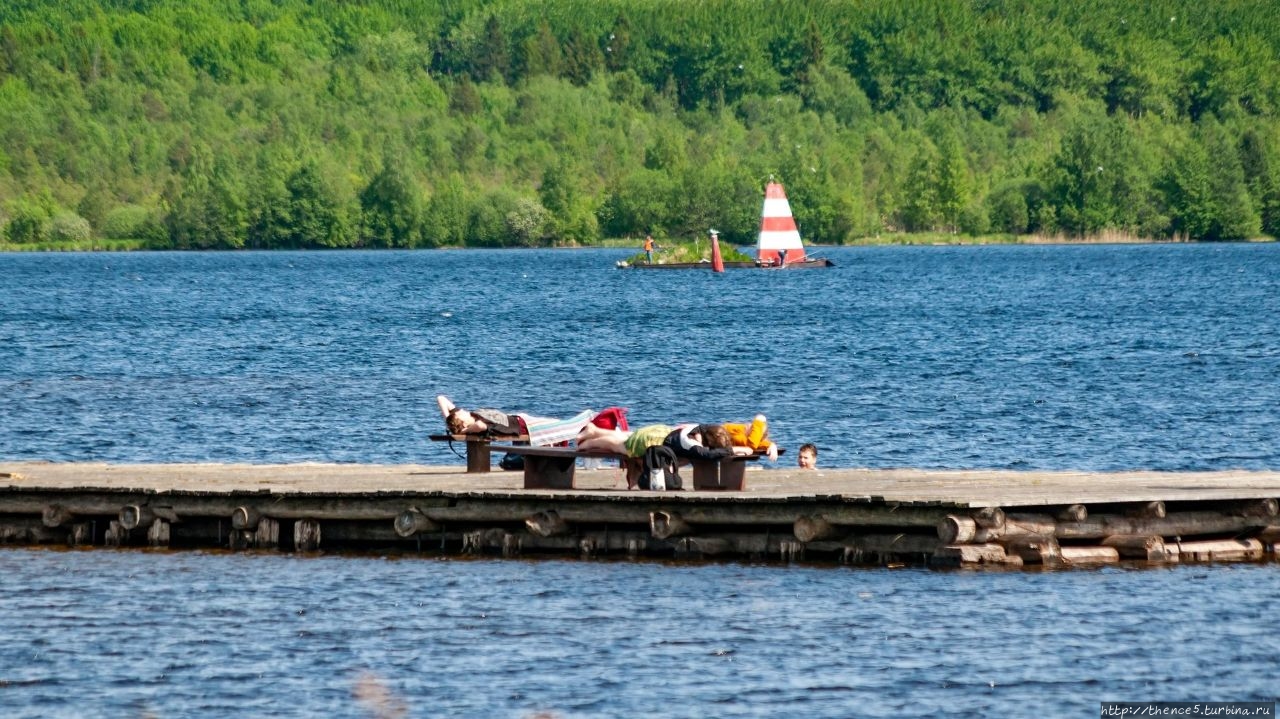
column 844, row 516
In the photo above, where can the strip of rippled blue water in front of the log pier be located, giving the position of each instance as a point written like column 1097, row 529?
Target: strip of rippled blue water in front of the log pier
column 199, row 634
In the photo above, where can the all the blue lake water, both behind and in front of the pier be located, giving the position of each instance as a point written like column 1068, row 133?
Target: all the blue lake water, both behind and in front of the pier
column 1101, row 358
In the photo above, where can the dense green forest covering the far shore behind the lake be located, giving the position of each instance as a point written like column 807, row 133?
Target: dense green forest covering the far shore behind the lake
column 419, row 123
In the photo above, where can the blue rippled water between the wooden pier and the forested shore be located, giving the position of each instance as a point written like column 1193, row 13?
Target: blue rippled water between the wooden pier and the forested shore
column 1103, row 358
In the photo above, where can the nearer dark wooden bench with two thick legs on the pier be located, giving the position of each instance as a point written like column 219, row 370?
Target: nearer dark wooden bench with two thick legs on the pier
column 552, row 468
